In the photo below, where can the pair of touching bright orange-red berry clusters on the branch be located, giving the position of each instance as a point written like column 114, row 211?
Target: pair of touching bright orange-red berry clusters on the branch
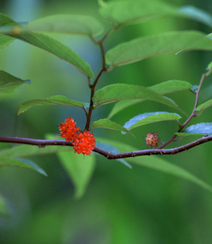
column 83, row 142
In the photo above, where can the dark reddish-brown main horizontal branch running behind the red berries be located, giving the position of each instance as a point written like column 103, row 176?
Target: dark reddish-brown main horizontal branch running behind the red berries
column 109, row 155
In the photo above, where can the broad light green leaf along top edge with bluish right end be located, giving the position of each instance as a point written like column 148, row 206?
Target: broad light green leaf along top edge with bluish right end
column 132, row 12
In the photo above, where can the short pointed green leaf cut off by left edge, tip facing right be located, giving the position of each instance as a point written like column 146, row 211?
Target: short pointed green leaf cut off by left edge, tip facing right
column 8, row 83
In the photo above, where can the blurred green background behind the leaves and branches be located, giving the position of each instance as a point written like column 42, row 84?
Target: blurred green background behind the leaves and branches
column 120, row 206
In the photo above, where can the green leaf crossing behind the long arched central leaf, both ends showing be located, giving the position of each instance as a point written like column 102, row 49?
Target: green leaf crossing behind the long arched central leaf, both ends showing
column 162, row 88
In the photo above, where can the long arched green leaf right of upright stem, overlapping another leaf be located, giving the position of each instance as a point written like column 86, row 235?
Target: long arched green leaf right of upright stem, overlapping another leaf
column 116, row 92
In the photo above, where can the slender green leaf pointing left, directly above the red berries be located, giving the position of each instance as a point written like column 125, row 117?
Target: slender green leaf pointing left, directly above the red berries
column 54, row 100
